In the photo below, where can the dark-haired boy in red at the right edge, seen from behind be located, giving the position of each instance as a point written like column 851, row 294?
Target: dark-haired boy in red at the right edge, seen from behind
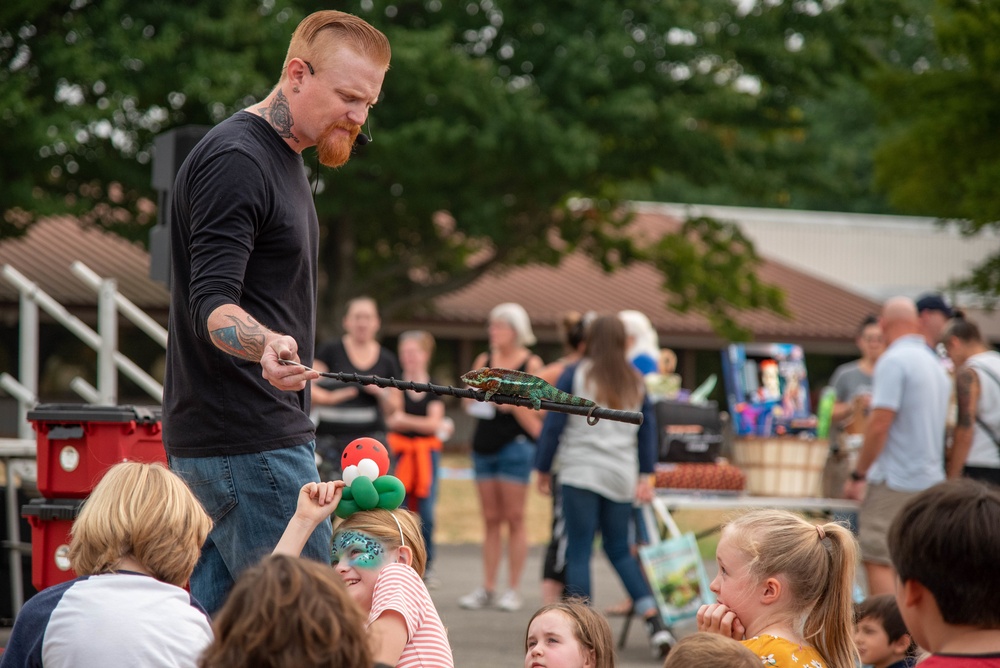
column 944, row 545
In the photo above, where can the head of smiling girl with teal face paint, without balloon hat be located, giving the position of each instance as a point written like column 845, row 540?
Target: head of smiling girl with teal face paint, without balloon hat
column 368, row 540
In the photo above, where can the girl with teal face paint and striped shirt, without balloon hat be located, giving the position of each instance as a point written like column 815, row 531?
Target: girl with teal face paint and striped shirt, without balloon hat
column 380, row 556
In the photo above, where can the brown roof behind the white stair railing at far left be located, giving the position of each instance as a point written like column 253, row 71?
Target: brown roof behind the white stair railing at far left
column 46, row 252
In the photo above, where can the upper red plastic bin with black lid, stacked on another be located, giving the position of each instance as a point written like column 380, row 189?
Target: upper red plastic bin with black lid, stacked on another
column 78, row 443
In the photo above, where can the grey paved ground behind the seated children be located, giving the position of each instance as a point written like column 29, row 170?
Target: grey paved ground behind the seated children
column 491, row 638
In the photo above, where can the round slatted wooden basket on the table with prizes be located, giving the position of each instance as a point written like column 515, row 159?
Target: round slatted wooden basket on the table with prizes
column 782, row 466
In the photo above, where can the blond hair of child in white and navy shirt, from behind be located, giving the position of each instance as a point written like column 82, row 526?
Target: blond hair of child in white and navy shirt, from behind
column 141, row 511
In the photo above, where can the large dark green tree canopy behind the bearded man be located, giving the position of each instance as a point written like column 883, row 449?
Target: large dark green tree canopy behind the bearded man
column 498, row 118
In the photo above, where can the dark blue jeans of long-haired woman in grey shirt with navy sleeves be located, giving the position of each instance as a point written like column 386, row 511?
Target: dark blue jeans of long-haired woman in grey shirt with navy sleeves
column 586, row 512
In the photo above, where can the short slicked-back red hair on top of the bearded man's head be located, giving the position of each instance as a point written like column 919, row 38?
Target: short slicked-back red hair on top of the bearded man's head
column 321, row 32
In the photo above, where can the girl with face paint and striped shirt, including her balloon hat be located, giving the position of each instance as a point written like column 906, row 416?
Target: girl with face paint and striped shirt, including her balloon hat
column 379, row 553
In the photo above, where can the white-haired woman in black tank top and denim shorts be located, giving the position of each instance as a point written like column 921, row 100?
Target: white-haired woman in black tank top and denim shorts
column 503, row 449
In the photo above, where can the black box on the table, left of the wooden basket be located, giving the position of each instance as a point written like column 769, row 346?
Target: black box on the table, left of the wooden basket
column 688, row 432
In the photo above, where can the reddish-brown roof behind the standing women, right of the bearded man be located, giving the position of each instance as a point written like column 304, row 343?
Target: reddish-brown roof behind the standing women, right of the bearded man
column 823, row 317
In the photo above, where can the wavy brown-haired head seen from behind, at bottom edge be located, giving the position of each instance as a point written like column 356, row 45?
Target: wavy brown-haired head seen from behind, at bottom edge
column 287, row 612
